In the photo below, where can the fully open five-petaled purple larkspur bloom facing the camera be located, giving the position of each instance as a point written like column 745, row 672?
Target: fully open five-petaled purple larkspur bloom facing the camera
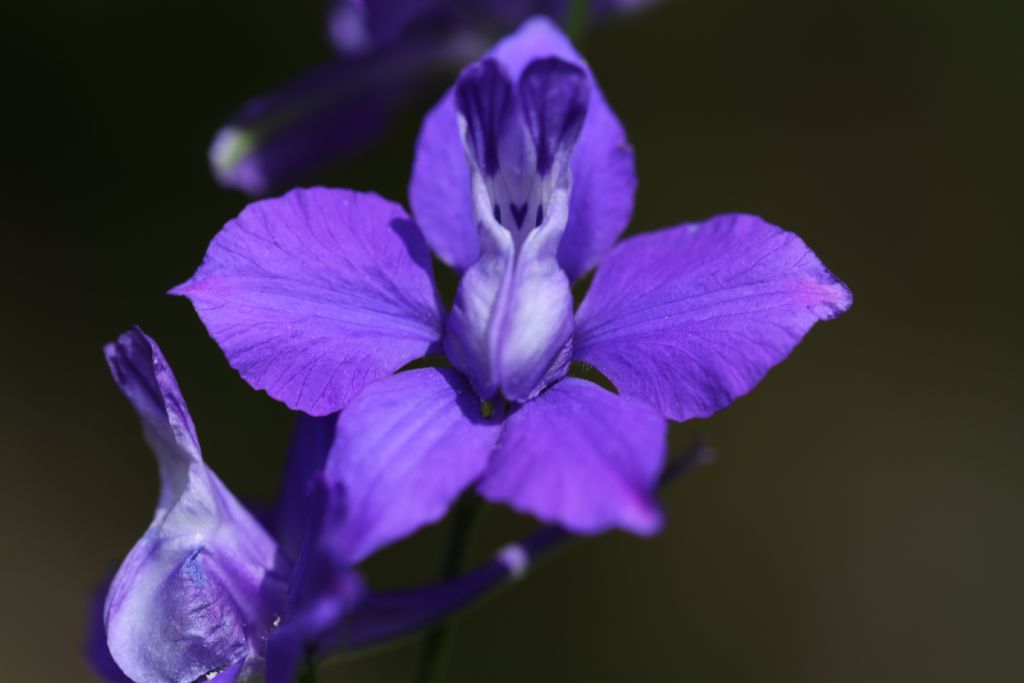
column 524, row 180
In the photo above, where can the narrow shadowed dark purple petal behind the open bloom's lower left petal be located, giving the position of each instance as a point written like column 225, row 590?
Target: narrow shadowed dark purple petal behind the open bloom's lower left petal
column 307, row 455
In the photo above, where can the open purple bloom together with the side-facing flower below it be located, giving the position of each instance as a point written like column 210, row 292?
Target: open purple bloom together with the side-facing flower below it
column 524, row 182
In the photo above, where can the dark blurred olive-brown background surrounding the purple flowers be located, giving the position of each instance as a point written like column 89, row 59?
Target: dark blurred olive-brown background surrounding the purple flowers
column 863, row 522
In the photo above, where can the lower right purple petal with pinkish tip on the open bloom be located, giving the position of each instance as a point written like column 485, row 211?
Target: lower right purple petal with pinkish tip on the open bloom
column 581, row 457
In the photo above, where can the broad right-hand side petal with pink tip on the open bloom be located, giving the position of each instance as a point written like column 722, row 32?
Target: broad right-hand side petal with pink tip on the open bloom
column 692, row 318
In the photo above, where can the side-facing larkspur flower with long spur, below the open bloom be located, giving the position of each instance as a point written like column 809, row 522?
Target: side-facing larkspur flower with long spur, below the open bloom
column 209, row 594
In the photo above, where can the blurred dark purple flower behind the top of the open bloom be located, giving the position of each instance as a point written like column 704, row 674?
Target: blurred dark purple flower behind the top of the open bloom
column 389, row 54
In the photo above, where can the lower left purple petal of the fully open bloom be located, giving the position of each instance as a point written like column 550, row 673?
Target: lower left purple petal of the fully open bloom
column 405, row 449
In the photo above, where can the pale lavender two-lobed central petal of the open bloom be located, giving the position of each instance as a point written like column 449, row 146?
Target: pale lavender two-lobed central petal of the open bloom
column 511, row 324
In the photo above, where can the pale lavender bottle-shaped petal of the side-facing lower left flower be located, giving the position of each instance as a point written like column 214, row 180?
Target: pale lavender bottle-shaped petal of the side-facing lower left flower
column 199, row 593
